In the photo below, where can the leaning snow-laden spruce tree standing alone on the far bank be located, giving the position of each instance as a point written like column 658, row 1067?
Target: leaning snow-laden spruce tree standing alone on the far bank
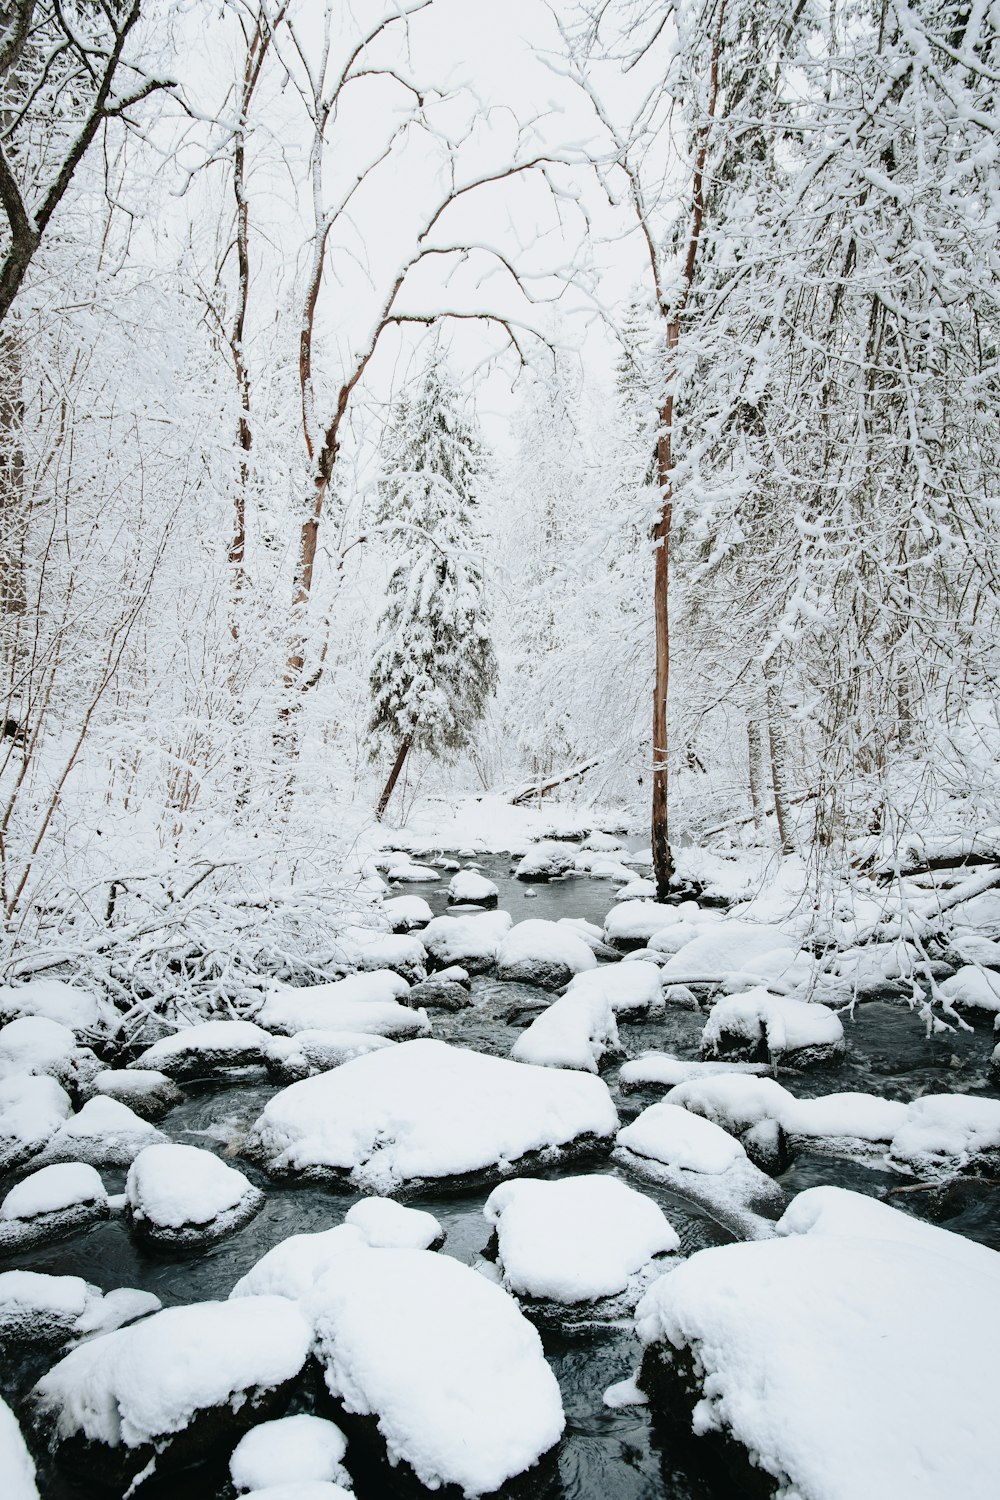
column 434, row 667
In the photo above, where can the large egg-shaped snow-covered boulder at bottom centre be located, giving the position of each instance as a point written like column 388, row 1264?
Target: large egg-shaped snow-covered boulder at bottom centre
column 445, row 1361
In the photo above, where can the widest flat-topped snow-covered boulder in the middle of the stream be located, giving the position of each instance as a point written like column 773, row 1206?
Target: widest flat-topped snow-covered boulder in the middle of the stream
column 424, row 1112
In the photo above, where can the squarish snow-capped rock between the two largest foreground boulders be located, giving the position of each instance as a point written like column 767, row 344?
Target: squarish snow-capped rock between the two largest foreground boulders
column 578, row 1250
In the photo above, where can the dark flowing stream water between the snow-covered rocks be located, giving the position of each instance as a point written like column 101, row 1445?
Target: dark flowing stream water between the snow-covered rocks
column 606, row 1454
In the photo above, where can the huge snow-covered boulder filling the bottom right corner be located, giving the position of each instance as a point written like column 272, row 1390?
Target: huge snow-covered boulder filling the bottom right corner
column 758, row 1340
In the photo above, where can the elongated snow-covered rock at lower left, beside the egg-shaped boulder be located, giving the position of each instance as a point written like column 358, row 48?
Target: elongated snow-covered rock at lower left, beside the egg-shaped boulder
column 145, row 1384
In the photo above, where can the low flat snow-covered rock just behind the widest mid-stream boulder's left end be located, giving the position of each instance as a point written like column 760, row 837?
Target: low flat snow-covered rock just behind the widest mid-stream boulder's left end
column 364, row 1003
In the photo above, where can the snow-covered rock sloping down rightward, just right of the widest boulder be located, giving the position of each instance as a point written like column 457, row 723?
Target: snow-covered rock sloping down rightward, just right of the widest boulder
column 701, row 1162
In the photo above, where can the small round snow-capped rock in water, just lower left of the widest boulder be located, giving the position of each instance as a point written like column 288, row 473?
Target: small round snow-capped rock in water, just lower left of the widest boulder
column 181, row 1198
